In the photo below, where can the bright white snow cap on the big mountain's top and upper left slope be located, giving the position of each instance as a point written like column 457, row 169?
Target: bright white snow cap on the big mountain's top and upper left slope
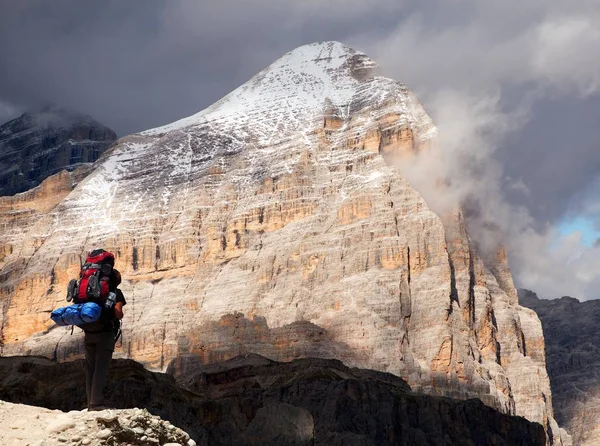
column 301, row 82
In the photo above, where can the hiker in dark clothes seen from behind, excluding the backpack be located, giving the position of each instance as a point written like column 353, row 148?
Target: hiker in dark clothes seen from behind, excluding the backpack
column 100, row 339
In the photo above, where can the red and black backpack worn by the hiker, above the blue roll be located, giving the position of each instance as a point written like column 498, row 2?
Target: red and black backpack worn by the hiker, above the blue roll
column 94, row 279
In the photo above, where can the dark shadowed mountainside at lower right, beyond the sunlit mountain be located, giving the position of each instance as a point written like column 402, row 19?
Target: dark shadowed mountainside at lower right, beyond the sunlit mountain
column 573, row 356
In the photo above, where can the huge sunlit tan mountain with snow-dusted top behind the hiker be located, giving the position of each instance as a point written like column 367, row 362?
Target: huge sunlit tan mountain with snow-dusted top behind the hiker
column 271, row 223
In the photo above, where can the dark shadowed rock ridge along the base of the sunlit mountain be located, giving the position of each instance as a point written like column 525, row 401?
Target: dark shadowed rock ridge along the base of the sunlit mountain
column 252, row 400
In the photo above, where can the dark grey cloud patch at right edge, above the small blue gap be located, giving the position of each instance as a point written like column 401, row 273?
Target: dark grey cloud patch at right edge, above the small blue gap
column 556, row 155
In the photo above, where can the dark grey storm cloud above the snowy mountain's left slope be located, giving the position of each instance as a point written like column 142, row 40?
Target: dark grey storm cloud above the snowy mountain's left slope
column 138, row 65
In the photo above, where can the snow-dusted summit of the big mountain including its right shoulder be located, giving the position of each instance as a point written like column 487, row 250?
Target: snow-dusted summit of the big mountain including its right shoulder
column 296, row 91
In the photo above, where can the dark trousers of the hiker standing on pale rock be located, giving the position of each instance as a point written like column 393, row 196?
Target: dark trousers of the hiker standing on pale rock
column 99, row 348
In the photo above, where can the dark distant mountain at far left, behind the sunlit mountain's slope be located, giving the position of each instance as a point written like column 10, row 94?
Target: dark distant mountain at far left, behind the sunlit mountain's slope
column 38, row 145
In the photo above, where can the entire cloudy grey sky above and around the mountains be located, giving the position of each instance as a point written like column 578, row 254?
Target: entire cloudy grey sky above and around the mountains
column 513, row 86
